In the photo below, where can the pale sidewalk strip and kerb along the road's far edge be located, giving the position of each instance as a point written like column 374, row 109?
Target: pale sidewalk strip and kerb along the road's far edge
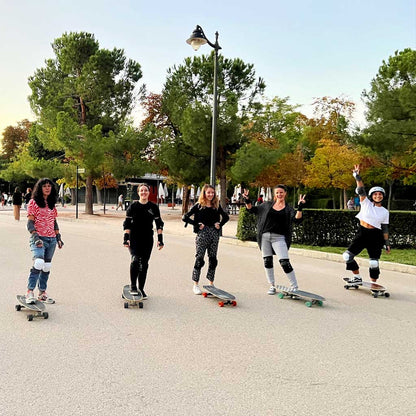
column 174, row 225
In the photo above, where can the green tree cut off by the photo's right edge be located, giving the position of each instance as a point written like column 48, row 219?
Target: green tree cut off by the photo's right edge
column 392, row 117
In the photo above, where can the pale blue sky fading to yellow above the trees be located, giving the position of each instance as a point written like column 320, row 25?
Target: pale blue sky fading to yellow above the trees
column 302, row 49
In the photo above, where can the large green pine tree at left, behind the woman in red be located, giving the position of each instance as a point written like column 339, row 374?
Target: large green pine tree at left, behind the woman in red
column 80, row 97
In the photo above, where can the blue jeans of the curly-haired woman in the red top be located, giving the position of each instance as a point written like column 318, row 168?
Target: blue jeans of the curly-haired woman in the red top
column 45, row 253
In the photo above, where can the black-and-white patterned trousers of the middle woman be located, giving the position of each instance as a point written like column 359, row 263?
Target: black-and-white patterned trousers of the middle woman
column 206, row 240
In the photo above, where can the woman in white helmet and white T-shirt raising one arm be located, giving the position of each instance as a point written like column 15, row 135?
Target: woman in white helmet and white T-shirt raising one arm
column 373, row 233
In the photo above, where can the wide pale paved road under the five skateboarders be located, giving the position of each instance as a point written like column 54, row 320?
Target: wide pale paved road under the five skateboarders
column 182, row 354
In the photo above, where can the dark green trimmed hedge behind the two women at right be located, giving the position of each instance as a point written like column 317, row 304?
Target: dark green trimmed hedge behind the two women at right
column 325, row 227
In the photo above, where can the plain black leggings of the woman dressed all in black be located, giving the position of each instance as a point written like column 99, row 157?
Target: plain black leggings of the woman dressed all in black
column 140, row 252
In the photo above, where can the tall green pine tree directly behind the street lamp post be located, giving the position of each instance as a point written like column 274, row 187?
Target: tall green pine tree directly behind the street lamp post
column 187, row 109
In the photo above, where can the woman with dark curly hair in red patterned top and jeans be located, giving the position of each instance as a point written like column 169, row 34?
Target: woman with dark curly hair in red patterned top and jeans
column 44, row 237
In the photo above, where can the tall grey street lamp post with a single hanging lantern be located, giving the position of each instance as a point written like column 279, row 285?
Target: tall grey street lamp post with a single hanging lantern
column 197, row 39
